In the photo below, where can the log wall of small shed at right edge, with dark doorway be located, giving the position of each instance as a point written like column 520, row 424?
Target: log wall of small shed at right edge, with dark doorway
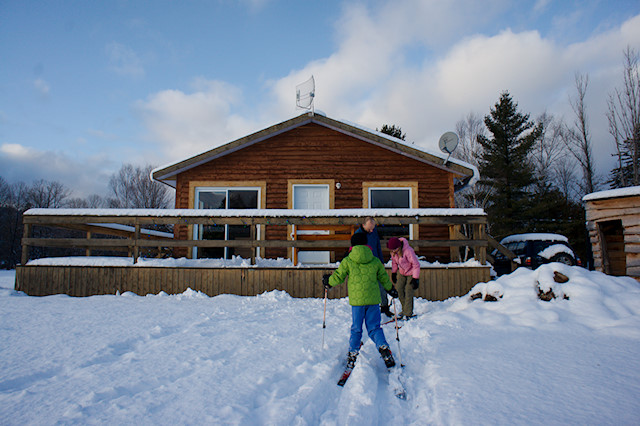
column 614, row 231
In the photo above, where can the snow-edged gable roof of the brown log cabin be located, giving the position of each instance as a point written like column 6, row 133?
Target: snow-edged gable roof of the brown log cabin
column 466, row 172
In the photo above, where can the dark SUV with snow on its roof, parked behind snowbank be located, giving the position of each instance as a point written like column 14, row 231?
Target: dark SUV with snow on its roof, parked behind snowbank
column 533, row 250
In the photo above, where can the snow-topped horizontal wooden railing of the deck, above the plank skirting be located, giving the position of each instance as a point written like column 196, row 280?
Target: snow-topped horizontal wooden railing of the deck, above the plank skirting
column 102, row 221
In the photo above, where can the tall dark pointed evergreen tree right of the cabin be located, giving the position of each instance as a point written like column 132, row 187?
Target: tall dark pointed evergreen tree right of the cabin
column 505, row 166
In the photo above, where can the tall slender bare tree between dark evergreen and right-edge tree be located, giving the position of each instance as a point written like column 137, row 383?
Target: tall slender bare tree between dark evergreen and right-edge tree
column 577, row 138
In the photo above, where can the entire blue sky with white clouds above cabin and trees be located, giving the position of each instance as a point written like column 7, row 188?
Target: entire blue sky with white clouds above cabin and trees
column 88, row 86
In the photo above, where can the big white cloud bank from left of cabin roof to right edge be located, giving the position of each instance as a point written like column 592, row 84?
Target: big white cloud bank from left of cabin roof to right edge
column 374, row 77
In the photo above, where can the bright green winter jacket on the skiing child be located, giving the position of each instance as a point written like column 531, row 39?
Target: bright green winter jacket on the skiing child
column 364, row 271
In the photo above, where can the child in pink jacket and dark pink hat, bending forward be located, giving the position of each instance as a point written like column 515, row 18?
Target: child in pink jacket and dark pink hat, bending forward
column 405, row 261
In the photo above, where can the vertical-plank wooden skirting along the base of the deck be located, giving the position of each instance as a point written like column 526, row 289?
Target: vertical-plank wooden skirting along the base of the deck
column 435, row 283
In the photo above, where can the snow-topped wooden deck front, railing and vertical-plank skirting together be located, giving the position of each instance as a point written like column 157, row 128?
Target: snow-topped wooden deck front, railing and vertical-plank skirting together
column 439, row 283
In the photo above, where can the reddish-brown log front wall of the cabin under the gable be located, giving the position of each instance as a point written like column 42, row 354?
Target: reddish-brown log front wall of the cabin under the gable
column 313, row 153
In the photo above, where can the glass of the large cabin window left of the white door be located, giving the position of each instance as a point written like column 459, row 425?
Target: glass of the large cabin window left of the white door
column 224, row 198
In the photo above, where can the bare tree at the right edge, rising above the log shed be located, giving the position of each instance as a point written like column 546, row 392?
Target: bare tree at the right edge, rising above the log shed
column 624, row 123
